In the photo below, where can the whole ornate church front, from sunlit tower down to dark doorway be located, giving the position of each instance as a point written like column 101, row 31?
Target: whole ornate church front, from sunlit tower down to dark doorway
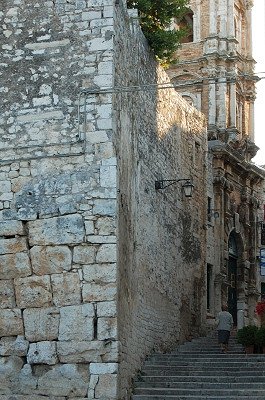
column 215, row 73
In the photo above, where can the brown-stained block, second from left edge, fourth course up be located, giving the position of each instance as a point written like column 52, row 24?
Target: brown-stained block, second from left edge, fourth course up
column 33, row 291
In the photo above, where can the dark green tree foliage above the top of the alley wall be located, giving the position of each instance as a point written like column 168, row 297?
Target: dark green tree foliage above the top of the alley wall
column 155, row 19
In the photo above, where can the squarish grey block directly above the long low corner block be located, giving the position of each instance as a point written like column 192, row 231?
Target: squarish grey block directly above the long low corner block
column 76, row 322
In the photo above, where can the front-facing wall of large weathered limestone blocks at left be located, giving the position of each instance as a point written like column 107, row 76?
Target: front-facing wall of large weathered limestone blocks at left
column 58, row 202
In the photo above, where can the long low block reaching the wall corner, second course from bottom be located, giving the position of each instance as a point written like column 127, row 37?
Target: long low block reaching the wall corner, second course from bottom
column 86, row 352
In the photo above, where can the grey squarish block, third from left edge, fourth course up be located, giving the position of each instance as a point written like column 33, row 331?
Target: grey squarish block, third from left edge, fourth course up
column 66, row 289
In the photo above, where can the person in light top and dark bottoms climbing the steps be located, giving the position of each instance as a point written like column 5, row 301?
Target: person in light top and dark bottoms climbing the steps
column 224, row 325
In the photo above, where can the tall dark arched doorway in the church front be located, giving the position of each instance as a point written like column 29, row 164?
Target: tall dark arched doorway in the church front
column 232, row 276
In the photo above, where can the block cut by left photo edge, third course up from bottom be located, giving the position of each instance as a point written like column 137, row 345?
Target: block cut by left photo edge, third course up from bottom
column 11, row 322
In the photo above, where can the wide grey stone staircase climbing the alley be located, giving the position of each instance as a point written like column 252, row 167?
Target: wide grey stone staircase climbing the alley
column 197, row 370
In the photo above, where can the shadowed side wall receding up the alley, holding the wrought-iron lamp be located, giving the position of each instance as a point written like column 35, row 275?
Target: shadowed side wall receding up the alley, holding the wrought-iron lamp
column 161, row 248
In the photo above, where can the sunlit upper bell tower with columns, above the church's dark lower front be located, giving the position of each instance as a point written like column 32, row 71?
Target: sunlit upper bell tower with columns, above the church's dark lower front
column 215, row 68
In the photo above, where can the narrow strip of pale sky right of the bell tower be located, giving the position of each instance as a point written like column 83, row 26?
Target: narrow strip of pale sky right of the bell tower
column 258, row 43
